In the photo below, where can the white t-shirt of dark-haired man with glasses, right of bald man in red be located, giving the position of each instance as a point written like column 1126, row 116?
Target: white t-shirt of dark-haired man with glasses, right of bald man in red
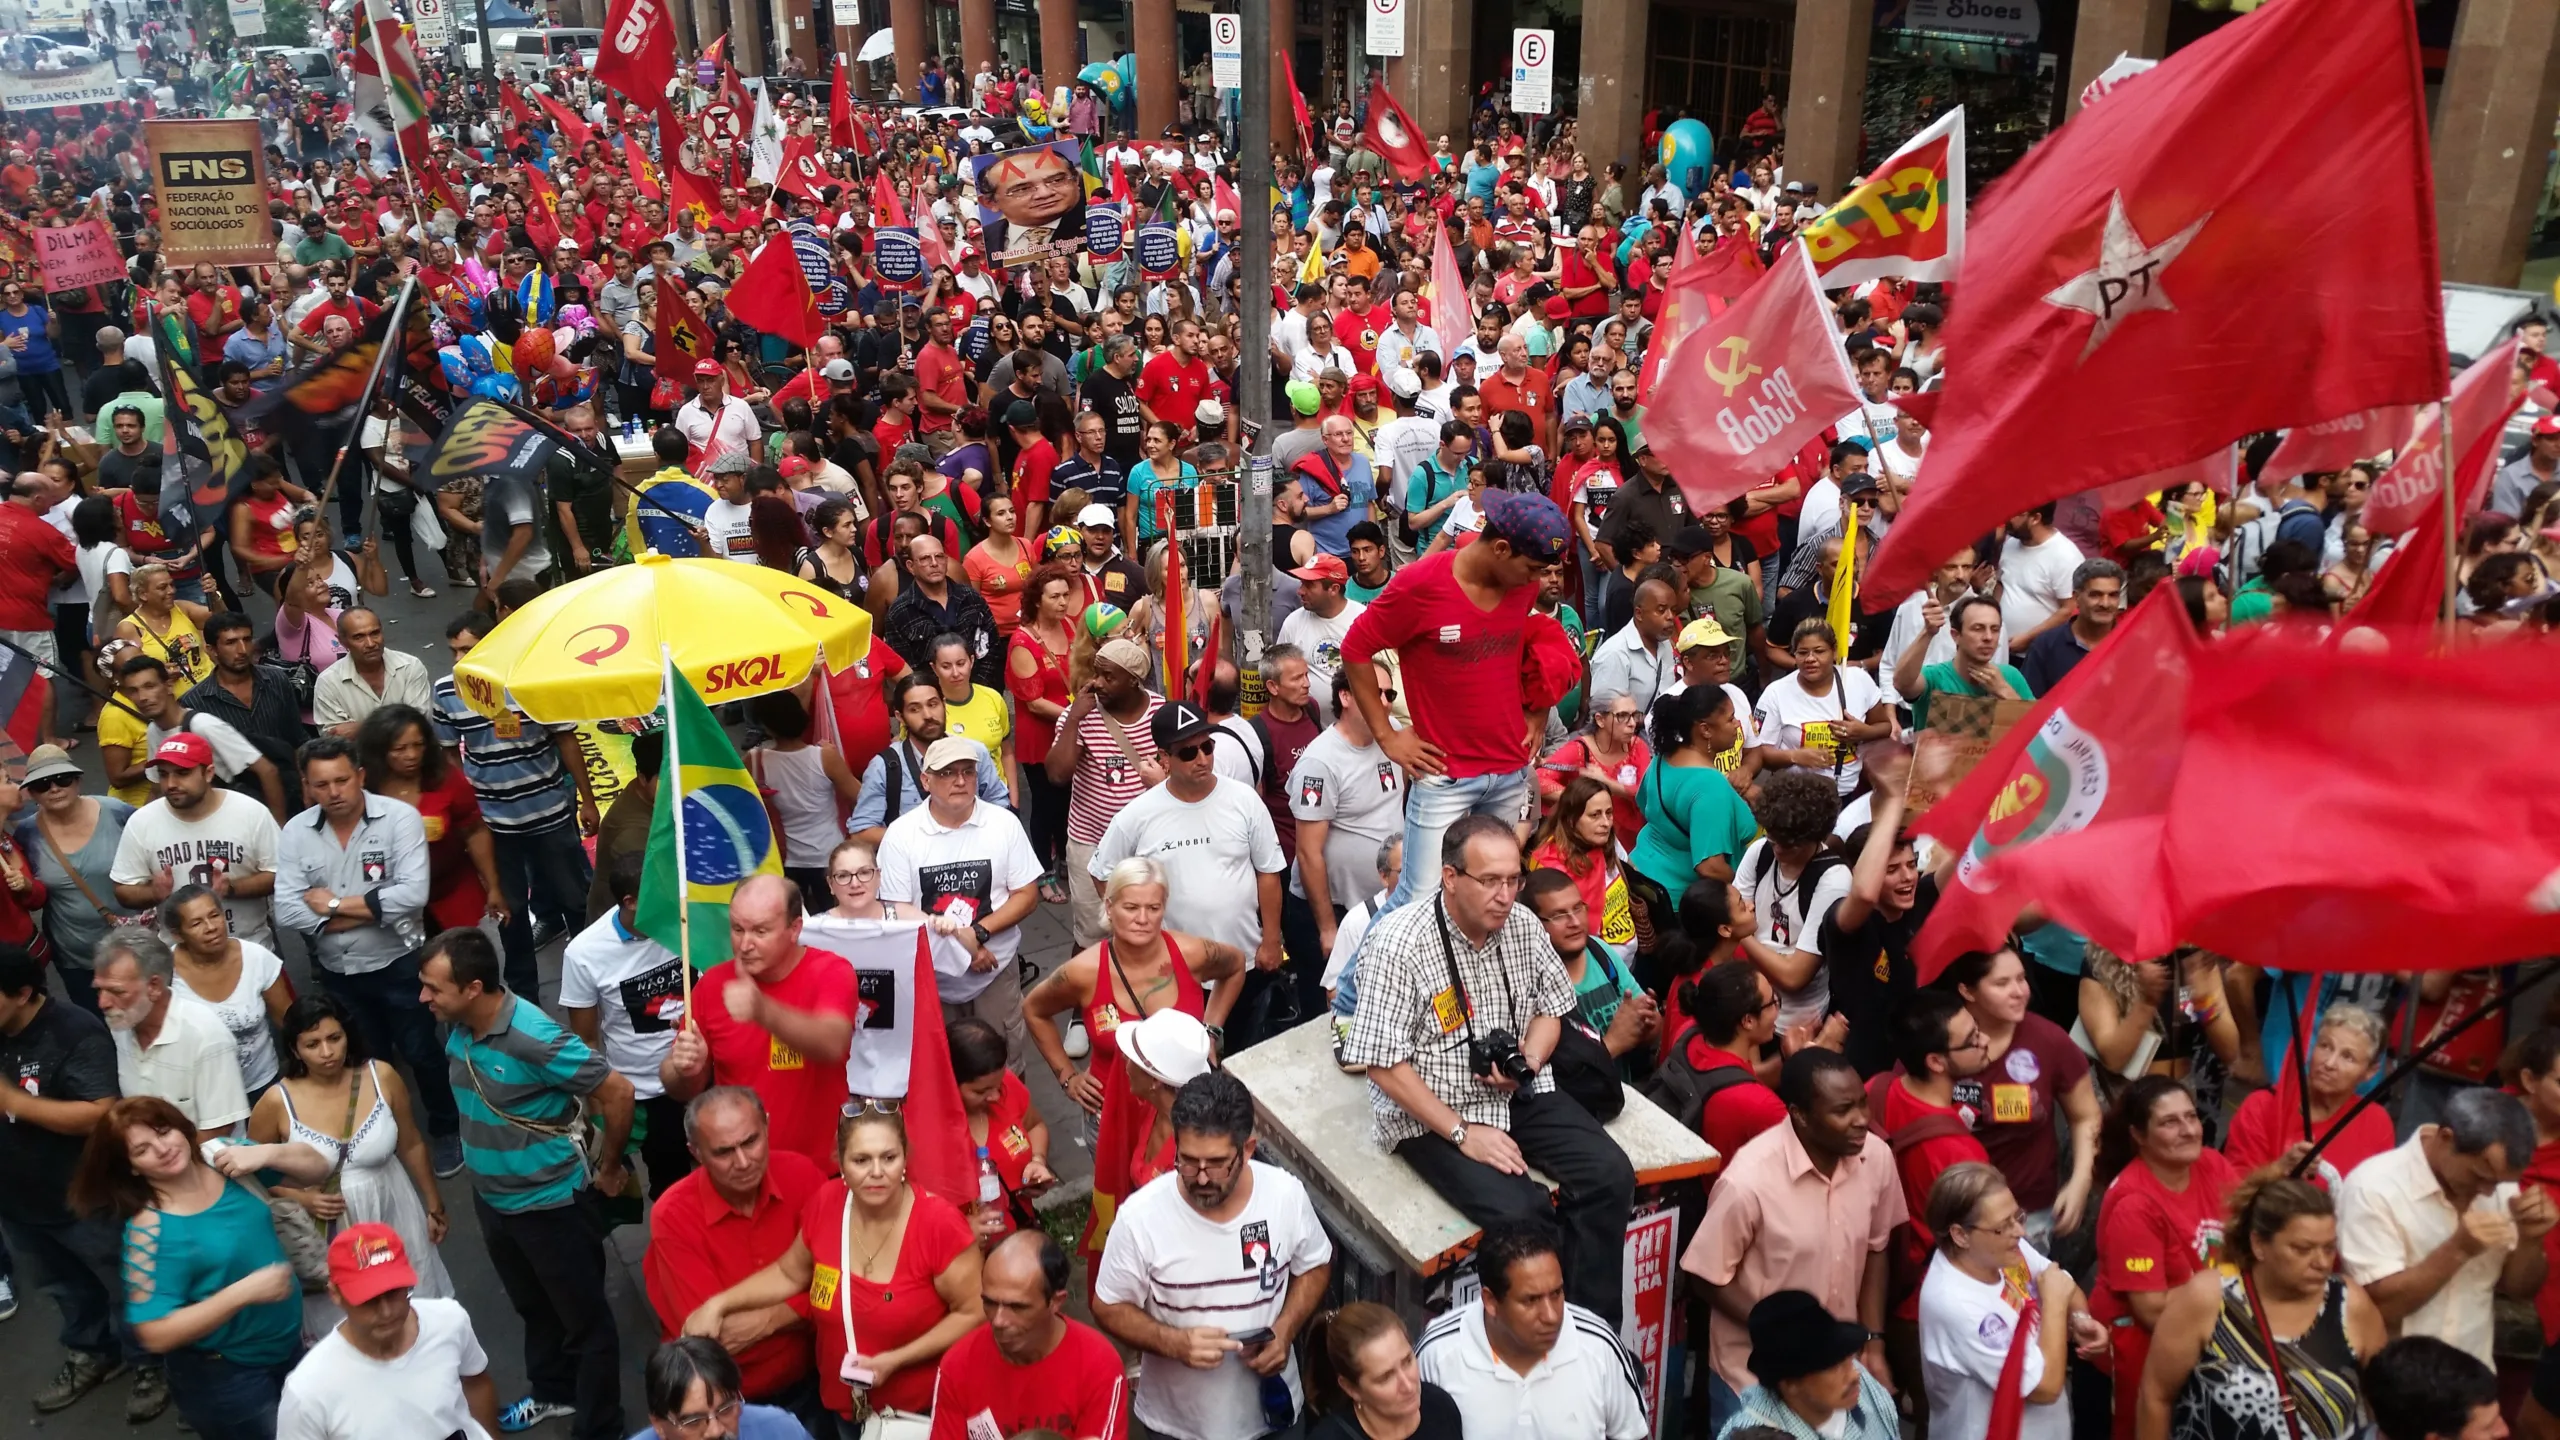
column 1184, row 1270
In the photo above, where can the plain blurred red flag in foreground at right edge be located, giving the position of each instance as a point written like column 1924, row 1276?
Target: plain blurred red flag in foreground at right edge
column 2300, row 775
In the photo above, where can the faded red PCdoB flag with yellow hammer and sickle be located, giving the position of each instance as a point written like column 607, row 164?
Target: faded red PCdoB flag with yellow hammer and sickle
column 1752, row 386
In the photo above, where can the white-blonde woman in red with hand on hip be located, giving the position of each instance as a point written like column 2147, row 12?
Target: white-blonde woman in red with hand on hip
column 1140, row 970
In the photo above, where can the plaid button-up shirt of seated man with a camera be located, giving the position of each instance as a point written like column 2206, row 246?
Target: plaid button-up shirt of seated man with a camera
column 1412, row 1013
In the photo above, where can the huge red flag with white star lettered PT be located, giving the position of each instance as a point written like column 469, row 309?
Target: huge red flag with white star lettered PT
column 2139, row 288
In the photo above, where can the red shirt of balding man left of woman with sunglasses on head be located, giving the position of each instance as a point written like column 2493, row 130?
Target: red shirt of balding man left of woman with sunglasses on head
column 698, row 1247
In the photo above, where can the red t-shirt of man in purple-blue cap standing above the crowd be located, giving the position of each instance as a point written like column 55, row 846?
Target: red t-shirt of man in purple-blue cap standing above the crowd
column 1463, row 665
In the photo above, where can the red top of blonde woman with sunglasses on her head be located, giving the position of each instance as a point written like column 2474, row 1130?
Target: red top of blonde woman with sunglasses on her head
column 884, row 1316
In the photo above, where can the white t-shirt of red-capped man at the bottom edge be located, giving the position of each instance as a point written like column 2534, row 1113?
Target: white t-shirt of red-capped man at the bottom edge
column 339, row 1393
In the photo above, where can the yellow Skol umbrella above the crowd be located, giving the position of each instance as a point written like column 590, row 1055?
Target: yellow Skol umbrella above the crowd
column 593, row 650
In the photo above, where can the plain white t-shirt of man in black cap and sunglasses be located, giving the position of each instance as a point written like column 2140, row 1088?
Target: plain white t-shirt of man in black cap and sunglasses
column 1212, row 855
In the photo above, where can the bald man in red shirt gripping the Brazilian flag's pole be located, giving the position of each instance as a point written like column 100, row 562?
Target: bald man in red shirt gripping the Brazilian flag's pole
column 777, row 1019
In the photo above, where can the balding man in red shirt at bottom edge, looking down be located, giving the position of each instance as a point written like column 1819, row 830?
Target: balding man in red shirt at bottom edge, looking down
column 1030, row 1367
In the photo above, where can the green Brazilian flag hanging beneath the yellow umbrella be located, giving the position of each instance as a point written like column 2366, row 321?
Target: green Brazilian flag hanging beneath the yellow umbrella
column 708, row 837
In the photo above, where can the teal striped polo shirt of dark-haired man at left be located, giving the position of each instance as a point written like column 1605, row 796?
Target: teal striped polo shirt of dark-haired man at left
column 534, row 1070
